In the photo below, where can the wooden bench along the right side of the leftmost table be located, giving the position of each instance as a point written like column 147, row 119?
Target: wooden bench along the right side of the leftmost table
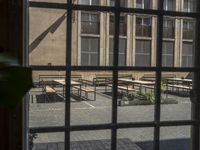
column 86, row 90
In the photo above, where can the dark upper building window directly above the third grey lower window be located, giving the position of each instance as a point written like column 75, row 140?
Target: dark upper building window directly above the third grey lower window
column 143, row 26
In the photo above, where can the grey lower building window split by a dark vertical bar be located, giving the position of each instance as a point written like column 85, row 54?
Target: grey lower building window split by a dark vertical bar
column 122, row 51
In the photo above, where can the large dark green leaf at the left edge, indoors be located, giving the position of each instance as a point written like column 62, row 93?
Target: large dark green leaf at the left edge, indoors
column 15, row 81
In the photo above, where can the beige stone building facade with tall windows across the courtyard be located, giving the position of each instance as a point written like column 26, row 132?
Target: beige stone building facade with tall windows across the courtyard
column 92, row 35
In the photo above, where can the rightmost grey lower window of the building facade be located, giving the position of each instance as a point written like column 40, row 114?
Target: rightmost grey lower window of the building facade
column 187, row 54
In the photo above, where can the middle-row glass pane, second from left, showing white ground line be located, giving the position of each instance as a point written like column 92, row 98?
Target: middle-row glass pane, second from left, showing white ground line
column 90, row 104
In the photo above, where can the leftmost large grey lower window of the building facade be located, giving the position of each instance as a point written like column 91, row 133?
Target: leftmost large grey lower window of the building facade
column 89, row 51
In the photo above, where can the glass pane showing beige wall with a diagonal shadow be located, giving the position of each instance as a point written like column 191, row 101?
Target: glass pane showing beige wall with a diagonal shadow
column 47, row 36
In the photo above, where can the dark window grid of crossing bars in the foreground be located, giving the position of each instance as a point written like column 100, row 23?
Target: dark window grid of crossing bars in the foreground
column 114, row 125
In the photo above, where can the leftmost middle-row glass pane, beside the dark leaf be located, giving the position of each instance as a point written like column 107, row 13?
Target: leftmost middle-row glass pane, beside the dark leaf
column 46, row 103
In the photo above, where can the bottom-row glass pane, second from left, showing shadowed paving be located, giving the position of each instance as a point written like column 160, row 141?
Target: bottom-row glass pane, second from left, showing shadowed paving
column 90, row 140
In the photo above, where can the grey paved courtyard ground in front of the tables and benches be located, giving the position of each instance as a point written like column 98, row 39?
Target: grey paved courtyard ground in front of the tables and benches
column 97, row 112
